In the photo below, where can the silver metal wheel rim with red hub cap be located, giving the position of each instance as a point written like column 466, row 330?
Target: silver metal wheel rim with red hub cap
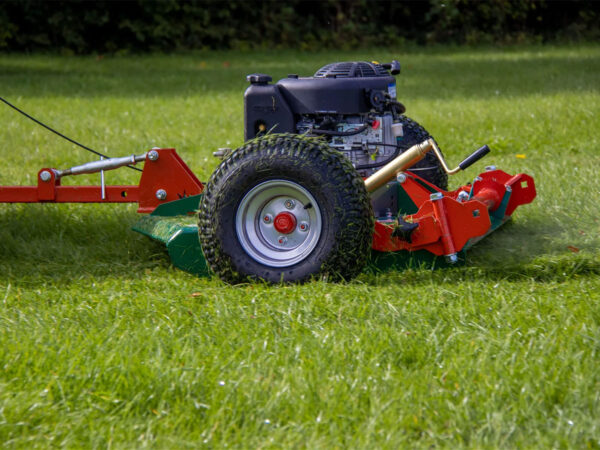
column 278, row 223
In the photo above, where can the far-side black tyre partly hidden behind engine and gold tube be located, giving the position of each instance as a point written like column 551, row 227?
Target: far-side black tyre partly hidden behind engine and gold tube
column 429, row 168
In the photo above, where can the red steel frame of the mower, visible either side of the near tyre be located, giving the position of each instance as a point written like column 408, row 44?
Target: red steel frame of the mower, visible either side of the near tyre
column 447, row 221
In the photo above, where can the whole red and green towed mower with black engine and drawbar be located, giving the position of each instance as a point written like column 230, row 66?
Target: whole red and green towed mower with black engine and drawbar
column 333, row 177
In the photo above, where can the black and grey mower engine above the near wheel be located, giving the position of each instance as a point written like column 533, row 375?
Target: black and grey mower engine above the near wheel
column 352, row 104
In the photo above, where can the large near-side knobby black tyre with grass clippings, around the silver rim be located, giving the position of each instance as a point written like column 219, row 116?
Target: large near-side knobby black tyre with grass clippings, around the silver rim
column 346, row 214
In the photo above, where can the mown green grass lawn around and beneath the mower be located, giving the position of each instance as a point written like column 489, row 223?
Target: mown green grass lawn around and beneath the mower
column 104, row 344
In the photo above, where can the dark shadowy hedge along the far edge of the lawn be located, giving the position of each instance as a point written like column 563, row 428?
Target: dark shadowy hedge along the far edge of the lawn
column 113, row 26
